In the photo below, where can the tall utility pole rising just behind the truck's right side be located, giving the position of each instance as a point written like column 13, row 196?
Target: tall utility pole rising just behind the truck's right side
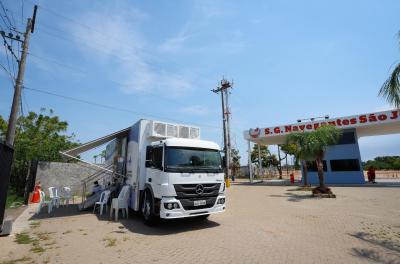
column 223, row 88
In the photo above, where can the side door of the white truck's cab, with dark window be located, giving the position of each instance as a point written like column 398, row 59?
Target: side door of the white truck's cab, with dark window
column 154, row 168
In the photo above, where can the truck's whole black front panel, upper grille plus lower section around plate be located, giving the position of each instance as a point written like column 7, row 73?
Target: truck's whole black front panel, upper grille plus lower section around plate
column 186, row 194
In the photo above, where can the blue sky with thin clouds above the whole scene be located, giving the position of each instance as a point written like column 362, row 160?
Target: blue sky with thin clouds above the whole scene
column 160, row 60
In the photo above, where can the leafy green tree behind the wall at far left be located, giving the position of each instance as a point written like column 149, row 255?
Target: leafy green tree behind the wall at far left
column 39, row 136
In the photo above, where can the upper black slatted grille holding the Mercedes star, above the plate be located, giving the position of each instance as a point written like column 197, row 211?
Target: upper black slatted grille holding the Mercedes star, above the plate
column 189, row 190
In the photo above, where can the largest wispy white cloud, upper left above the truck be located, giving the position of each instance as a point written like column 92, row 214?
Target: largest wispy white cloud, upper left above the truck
column 116, row 43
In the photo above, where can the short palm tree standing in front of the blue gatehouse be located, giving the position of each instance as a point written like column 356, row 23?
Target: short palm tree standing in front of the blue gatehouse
column 312, row 146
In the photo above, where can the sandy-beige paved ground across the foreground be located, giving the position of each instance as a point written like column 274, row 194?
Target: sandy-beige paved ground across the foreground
column 262, row 224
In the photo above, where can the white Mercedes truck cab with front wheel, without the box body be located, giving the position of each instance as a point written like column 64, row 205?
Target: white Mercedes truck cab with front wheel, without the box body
column 183, row 178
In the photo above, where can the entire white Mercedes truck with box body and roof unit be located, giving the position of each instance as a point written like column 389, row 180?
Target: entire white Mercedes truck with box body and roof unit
column 171, row 172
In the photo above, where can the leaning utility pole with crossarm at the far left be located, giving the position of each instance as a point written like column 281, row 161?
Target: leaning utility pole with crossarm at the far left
column 20, row 78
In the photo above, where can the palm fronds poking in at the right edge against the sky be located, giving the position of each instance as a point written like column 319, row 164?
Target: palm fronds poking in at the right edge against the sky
column 390, row 89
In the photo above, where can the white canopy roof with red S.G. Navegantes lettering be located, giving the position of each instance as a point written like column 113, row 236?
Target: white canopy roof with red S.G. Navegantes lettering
column 372, row 124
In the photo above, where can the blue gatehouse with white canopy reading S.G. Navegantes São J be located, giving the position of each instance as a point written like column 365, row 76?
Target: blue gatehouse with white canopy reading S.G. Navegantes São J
column 342, row 162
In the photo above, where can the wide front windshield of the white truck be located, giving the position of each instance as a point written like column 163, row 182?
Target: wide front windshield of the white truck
column 178, row 159
